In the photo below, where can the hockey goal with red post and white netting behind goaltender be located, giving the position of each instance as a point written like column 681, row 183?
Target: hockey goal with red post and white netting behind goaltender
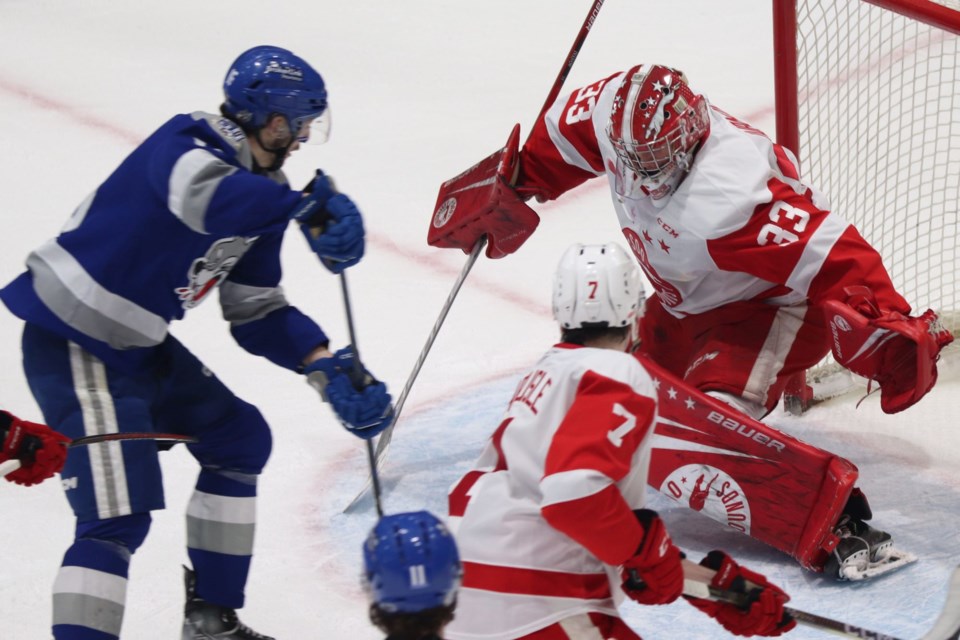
column 868, row 97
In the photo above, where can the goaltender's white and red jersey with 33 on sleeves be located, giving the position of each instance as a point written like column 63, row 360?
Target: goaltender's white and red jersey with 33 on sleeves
column 742, row 225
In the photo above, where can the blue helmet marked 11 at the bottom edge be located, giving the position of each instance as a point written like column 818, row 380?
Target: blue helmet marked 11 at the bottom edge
column 411, row 563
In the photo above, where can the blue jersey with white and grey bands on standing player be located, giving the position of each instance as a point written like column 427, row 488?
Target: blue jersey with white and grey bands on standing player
column 182, row 215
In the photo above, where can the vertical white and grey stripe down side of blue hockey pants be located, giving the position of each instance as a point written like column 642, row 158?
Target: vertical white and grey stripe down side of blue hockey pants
column 99, row 416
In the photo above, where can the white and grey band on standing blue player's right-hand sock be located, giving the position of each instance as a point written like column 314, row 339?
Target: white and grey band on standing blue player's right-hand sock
column 221, row 524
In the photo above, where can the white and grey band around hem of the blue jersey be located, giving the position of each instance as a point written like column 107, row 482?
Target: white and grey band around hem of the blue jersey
column 72, row 294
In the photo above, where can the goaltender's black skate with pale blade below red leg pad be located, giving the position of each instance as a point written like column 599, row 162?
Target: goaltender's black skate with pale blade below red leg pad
column 863, row 552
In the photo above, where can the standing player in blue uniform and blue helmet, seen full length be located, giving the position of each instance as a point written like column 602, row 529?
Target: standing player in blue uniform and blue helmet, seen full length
column 200, row 204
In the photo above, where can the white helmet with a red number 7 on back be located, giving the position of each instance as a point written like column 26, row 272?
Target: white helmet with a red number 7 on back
column 596, row 284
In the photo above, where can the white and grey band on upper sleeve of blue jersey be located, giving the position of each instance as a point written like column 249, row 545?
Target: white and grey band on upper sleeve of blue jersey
column 194, row 179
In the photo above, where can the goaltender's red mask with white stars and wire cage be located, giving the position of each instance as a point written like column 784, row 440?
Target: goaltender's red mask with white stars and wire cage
column 656, row 123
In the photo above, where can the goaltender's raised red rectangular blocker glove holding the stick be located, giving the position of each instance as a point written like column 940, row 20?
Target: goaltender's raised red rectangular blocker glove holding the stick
column 480, row 202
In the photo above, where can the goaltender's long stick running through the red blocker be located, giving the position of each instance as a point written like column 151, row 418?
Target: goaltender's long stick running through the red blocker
column 384, row 441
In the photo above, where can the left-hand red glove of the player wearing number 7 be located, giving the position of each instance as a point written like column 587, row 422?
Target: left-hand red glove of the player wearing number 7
column 654, row 575
